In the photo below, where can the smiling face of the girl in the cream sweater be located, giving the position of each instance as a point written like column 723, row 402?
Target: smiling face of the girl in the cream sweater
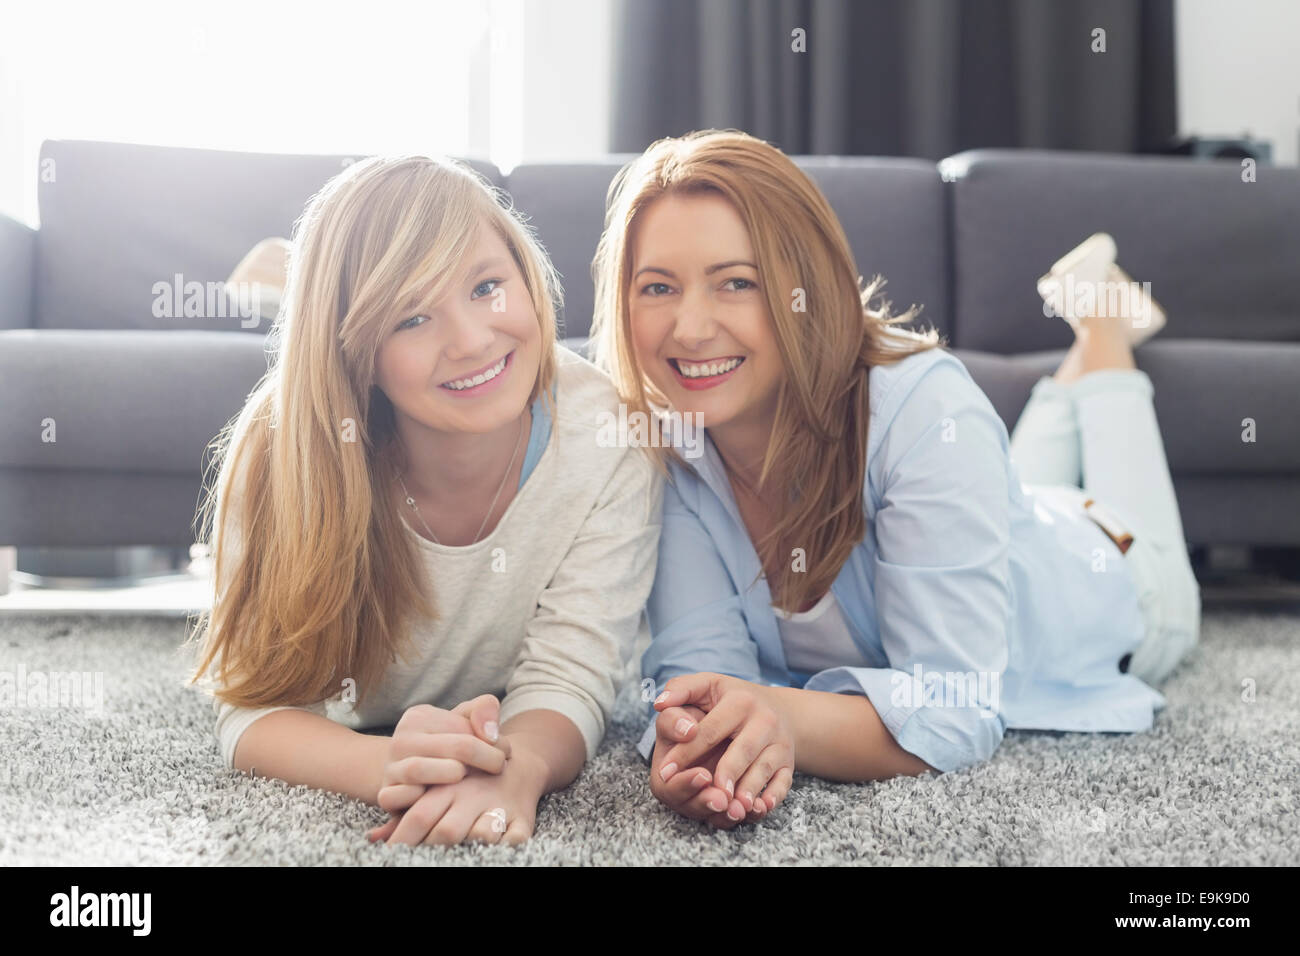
column 466, row 364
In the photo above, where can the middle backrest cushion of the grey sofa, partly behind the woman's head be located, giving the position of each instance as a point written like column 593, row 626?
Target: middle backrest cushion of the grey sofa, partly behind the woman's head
column 892, row 211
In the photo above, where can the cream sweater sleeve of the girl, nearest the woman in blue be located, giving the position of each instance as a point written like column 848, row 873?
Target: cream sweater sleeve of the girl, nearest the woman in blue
column 579, row 643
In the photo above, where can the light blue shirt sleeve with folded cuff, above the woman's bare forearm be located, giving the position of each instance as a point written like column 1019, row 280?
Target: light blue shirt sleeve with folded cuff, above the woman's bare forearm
column 943, row 591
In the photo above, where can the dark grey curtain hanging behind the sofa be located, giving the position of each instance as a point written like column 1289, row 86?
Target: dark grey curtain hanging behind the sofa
column 898, row 77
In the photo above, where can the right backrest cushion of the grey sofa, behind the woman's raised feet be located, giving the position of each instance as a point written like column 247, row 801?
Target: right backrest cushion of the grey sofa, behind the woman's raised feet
column 1223, row 256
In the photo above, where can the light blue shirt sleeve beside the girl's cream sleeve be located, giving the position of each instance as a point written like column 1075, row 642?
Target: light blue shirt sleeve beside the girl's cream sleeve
column 695, row 609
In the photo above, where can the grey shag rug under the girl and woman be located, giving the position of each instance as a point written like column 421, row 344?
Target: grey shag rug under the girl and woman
column 142, row 784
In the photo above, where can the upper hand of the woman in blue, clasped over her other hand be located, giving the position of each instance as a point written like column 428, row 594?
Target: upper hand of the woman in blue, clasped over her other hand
column 759, row 760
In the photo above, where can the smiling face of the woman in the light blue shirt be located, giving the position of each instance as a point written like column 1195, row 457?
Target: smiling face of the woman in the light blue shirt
column 700, row 325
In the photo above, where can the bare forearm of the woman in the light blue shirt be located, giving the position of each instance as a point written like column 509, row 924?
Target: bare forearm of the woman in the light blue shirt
column 840, row 737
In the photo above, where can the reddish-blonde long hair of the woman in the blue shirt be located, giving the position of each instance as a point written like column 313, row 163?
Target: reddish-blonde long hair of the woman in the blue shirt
column 818, row 445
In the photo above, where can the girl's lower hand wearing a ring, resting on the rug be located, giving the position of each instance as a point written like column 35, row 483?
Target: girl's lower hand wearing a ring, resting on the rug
column 482, row 808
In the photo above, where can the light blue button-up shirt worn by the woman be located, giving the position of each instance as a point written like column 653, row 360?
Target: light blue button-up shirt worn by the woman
column 981, row 605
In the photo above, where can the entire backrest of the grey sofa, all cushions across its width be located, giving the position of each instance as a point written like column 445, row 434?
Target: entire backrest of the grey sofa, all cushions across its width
column 967, row 239
